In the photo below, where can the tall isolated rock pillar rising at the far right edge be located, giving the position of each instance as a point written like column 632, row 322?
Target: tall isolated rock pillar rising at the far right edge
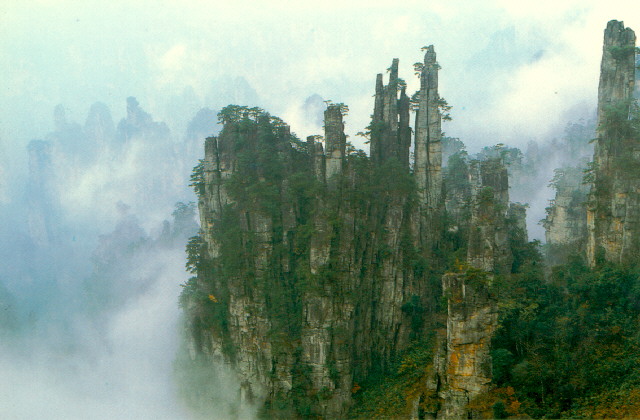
column 613, row 214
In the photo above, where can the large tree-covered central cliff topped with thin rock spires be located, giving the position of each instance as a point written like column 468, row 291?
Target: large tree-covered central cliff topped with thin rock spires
column 311, row 268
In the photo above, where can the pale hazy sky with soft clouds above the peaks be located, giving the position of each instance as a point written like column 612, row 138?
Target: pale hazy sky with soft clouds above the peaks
column 511, row 70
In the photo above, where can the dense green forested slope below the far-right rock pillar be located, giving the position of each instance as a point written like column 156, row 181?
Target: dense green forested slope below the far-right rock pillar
column 569, row 345
